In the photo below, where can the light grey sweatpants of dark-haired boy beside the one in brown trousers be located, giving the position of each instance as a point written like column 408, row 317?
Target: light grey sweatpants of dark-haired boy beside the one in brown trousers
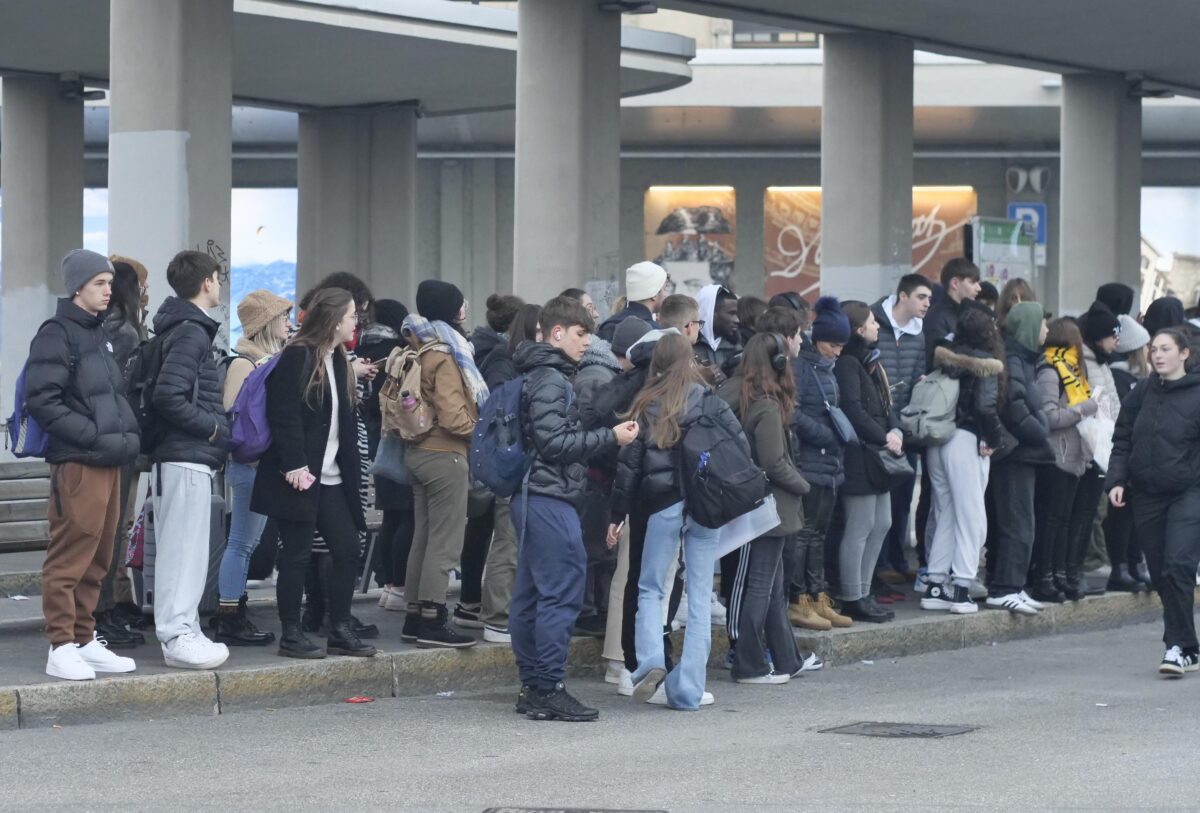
column 183, row 513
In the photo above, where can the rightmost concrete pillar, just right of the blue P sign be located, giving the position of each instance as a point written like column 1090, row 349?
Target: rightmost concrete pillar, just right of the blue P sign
column 1101, row 206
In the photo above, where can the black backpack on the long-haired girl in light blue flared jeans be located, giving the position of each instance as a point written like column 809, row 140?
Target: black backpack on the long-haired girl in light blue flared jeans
column 721, row 479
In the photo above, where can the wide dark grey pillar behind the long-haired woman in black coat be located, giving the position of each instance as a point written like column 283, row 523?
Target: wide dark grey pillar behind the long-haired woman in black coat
column 357, row 210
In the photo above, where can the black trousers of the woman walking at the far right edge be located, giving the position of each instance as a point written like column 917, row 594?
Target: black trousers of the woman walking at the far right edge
column 1169, row 528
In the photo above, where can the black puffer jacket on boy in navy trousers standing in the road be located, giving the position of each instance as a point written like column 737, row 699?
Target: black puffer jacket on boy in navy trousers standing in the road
column 553, row 430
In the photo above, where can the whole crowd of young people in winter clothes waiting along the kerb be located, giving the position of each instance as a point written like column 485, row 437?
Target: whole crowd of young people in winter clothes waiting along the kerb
column 1064, row 445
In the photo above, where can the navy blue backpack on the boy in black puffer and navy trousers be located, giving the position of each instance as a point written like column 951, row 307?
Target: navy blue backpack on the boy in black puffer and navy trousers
column 499, row 459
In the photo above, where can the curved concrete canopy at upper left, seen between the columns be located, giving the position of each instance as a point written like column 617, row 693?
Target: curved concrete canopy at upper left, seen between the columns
column 302, row 55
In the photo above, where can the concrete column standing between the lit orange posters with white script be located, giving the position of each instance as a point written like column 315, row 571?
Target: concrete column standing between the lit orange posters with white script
column 866, row 165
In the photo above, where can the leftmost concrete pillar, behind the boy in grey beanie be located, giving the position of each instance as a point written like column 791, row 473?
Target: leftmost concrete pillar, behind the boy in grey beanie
column 41, row 179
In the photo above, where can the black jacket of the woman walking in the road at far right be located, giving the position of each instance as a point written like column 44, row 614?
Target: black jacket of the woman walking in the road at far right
column 1156, row 445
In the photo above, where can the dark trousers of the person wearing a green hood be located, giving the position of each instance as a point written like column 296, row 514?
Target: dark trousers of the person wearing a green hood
column 1012, row 490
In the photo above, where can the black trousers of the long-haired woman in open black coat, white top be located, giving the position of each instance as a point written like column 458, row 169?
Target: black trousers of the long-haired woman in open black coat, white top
column 337, row 526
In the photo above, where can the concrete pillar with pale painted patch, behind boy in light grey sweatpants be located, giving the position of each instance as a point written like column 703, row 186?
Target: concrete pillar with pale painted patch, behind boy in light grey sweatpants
column 171, row 135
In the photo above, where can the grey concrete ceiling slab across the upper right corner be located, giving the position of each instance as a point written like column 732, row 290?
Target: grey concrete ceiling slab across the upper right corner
column 1151, row 38
